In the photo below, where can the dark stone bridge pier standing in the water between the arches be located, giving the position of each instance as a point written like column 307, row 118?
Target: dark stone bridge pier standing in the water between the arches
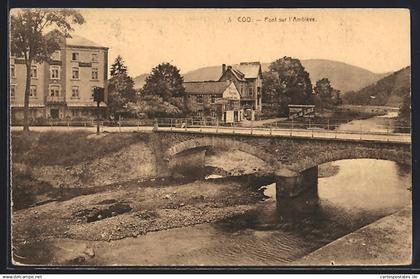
column 297, row 196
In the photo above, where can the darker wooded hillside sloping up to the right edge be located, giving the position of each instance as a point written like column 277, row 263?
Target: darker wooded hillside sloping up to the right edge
column 388, row 91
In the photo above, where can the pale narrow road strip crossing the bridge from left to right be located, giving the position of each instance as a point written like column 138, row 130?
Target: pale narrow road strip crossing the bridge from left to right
column 304, row 133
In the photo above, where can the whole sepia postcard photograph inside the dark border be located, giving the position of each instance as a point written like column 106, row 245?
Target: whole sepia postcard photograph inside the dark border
column 209, row 137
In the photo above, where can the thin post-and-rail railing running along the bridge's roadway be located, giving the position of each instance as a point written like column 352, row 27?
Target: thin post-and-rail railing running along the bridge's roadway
column 331, row 129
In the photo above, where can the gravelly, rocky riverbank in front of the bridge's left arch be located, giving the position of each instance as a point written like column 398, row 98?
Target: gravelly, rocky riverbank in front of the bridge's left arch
column 129, row 211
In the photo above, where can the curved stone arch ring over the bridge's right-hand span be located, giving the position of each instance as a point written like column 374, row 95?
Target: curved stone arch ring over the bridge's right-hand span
column 348, row 154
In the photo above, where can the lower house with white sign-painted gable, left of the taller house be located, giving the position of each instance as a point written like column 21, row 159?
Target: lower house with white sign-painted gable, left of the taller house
column 216, row 99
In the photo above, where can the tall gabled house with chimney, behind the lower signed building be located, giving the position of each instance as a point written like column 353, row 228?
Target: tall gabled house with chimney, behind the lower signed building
column 247, row 77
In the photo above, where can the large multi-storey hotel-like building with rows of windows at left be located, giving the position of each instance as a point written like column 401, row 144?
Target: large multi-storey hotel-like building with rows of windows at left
column 62, row 88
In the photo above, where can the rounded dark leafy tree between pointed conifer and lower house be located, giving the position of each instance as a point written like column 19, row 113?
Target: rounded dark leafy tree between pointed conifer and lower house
column 165, row 81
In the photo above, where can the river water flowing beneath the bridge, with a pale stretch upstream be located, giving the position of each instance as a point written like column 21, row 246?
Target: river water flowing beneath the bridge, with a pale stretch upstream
column 361, row 192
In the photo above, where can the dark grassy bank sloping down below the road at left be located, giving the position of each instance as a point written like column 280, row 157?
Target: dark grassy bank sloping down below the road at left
column 45, row 152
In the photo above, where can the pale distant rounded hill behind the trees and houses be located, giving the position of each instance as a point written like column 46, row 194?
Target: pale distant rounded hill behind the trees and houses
column 343, row 77
